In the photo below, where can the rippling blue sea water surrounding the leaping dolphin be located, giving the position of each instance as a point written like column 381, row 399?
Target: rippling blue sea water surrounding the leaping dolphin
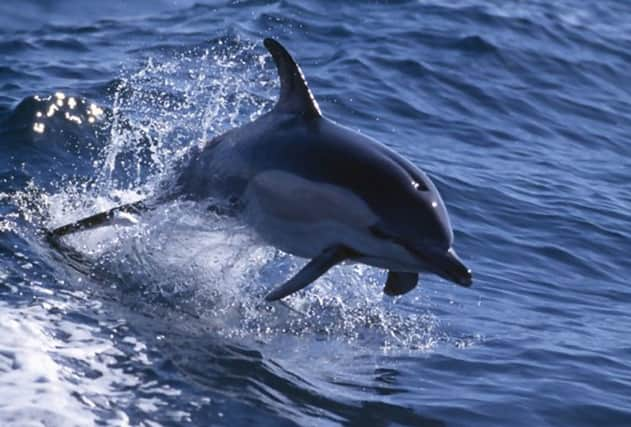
column 519, row 111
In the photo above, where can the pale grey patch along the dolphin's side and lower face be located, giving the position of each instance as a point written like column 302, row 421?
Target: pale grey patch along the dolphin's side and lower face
column 304, row 218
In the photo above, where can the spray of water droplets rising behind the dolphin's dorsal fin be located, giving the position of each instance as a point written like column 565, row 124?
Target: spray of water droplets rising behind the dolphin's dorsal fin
column 173, row 102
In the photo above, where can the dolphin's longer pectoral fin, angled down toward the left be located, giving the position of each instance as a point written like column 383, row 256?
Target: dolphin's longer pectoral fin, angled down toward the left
column 310, row 272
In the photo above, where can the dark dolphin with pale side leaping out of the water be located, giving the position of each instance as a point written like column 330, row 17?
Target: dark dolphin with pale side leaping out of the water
column 317, row 190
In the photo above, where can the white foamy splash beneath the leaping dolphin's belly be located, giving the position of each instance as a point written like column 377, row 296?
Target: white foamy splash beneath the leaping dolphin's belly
column 217, row 272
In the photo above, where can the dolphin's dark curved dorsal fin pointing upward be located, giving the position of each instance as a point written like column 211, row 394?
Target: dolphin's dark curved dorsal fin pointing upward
column 295, row 96
